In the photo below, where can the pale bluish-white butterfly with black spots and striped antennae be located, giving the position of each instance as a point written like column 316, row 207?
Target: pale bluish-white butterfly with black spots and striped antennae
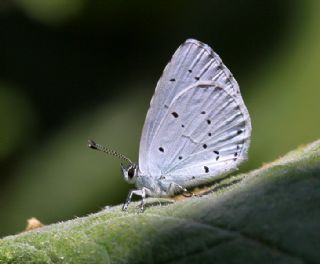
column 197, row 128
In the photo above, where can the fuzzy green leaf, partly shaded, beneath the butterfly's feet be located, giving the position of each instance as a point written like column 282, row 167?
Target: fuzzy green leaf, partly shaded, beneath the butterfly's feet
column 269, row 215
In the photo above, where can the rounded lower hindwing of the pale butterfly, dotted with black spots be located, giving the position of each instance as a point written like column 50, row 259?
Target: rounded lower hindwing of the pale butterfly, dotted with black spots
column 205, row 132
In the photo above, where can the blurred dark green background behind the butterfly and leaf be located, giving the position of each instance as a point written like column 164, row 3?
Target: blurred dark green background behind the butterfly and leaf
column 74, row 70
